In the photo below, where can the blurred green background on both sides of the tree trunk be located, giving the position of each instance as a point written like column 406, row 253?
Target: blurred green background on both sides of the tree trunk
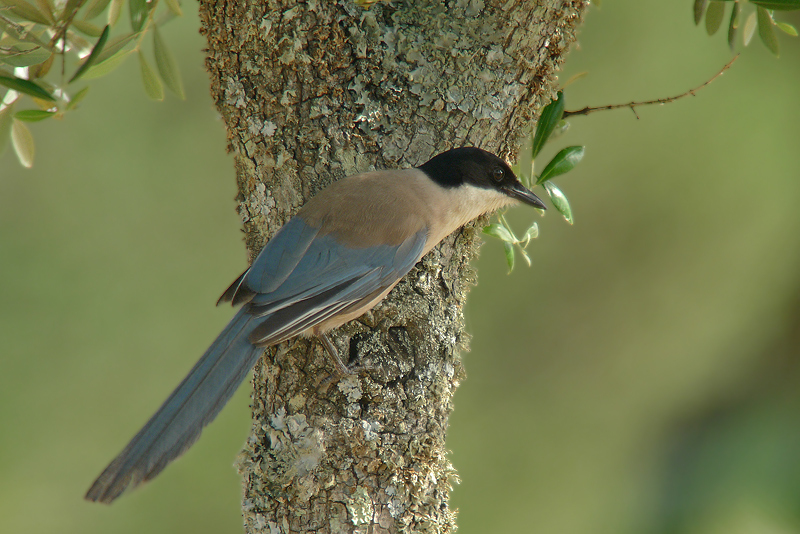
column 642, row 376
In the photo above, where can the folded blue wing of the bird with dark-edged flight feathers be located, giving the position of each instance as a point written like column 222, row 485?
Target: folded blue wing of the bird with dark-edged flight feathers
column 301, row 279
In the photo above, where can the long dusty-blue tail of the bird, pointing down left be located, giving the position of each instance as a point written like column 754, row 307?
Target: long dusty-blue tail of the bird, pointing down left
column 194, row 403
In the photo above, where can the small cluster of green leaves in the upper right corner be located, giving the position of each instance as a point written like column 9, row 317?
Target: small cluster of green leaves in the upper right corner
column 761, row 18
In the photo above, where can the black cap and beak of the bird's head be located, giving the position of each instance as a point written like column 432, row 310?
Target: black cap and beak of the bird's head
column 478, row 168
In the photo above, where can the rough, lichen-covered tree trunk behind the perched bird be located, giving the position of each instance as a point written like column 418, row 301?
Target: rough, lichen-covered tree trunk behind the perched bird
column 311, row 92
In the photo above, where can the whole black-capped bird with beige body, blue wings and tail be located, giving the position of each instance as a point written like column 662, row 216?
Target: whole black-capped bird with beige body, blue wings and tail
column 343, row 251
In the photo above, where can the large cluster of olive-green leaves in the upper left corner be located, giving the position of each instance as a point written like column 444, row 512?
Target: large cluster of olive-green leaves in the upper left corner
column 35, row 35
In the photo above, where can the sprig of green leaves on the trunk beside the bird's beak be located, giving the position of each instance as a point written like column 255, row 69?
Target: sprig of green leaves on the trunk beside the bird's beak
column 549, row 126
